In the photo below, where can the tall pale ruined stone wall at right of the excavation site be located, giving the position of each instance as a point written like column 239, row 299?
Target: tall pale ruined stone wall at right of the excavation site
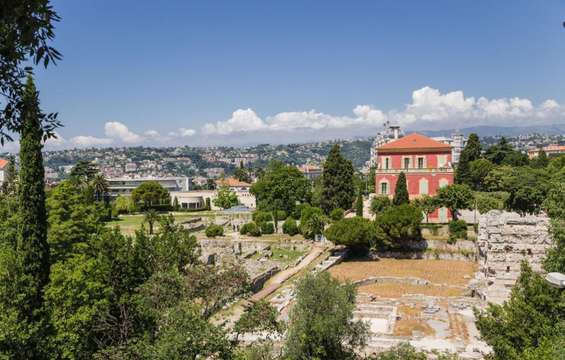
column 504, row 240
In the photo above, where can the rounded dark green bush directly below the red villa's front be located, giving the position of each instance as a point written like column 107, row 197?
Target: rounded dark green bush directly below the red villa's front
column 399, row 224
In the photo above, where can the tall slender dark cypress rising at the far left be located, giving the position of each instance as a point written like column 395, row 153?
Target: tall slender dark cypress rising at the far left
column 32, row 244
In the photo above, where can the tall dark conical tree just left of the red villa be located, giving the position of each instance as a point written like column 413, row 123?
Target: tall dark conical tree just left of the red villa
column 337, row 182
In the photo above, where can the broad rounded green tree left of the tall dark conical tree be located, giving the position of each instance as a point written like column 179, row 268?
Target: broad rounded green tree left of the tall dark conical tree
column 281, row 187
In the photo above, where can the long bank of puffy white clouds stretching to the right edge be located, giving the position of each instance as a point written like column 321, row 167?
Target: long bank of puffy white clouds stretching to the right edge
column 429, row 108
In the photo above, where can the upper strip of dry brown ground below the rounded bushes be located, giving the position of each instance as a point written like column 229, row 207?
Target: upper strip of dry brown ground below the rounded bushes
column 438, row 272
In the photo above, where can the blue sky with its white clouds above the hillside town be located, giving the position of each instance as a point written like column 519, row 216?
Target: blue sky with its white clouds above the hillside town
column 223, row 72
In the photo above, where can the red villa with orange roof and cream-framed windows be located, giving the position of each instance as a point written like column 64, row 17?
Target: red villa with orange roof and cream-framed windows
column 425, row 162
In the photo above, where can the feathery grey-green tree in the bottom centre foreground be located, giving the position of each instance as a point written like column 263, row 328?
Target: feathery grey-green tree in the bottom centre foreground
column 321, row 322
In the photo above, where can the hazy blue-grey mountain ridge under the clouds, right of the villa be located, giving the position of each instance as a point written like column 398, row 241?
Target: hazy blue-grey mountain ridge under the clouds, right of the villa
column 552, row 129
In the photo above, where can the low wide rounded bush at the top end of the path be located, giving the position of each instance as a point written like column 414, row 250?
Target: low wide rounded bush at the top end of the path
column 357, row 233
